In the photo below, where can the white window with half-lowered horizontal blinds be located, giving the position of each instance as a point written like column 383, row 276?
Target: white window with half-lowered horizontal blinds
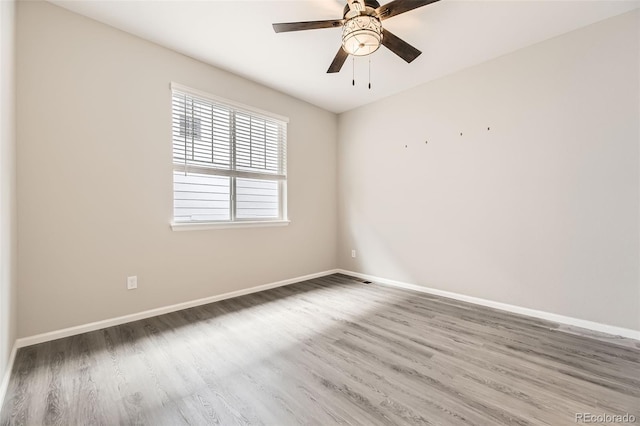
column 229, row 161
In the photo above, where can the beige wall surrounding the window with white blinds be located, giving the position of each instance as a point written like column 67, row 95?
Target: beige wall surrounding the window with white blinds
column 95, row 179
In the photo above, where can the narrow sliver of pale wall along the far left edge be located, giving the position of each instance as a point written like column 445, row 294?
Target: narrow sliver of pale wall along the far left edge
column 8, row 224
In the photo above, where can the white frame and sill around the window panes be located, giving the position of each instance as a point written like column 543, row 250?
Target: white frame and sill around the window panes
column 234, row 221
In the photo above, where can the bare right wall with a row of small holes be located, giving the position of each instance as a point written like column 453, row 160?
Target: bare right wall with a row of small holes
column 540, row 211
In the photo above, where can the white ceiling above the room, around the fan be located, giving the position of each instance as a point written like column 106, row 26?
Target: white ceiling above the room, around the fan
column 236, row 35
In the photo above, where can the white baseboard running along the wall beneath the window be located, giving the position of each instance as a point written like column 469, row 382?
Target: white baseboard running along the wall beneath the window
column 71, row 331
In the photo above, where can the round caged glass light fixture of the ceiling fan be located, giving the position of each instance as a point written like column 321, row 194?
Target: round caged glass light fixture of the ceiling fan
column 361, row 35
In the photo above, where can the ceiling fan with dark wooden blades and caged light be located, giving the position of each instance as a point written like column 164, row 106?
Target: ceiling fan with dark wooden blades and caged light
column 362, row 31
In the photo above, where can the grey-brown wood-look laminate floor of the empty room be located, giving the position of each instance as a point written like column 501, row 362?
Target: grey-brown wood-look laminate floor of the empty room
column 328, row 351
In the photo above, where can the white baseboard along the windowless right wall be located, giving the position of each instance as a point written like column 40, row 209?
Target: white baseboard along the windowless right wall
column 576, row 322
